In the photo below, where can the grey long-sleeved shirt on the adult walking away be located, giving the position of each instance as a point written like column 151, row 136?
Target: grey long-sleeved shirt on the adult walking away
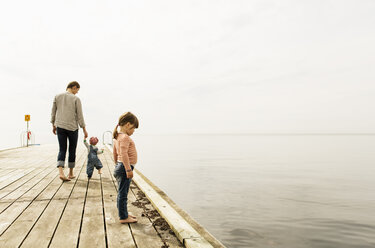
column 67, row 112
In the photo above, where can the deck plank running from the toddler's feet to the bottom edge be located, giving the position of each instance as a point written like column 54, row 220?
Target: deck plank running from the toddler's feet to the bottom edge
column 92, row 232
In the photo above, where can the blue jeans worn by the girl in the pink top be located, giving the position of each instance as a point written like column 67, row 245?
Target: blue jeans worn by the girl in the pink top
column 123, row 189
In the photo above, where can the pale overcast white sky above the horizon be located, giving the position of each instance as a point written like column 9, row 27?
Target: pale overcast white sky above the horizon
column 190, row 66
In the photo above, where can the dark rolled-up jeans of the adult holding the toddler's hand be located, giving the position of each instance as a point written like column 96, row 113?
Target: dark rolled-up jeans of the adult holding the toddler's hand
column 63, row 136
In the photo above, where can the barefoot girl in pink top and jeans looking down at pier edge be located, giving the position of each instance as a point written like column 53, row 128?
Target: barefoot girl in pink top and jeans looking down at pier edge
column 125, row 157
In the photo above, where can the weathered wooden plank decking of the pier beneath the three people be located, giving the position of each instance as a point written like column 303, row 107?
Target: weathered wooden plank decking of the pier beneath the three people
column 38, row 210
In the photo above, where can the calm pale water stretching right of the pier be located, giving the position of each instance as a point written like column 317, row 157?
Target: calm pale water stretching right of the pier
column 268, row 190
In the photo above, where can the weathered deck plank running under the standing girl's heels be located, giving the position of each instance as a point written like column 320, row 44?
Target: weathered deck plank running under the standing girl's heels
column 118, row 235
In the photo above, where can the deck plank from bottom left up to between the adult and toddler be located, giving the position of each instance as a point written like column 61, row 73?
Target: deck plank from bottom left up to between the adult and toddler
column 42, row 232
